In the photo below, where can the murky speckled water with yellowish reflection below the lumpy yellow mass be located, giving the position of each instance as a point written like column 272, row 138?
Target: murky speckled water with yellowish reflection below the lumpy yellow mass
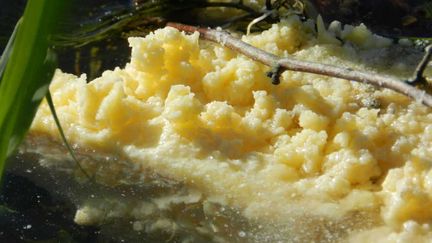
column 45, row 201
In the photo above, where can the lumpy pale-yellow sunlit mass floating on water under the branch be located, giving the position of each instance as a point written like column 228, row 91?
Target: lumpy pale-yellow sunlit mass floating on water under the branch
column 313, row 148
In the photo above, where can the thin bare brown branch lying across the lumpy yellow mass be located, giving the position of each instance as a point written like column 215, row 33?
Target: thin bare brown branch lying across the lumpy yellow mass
column 280, row 65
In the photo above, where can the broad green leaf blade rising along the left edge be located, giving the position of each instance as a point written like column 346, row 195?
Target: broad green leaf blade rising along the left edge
column 29, row 69
